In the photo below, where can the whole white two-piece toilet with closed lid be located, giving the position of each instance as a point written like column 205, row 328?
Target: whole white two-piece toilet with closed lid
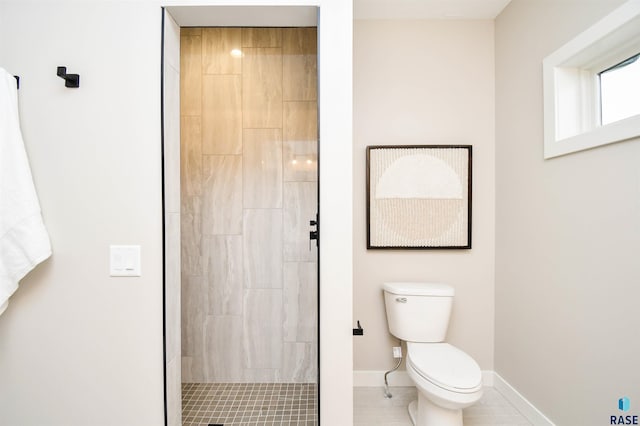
column 447, row 379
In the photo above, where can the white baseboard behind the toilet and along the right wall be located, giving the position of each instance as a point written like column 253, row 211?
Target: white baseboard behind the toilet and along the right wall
column 374, row 378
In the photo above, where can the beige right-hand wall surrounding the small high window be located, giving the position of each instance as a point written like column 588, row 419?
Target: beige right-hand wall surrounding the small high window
column 568, row 232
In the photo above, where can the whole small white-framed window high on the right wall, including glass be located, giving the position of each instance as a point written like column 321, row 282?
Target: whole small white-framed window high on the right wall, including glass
column 592, row 85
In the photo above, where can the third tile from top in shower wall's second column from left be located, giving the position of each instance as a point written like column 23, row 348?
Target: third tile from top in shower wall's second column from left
column 222, row 195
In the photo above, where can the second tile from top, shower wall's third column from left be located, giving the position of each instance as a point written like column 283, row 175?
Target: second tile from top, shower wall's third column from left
column 262, row 88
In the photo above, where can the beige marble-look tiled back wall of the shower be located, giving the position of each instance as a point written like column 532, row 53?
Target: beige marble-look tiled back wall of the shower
column 249, row 161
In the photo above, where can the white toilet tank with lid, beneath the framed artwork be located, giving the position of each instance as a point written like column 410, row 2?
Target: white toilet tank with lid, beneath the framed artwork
column 418, row 312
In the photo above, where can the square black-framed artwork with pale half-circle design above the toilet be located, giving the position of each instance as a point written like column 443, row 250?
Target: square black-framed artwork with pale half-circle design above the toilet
column 419, row 197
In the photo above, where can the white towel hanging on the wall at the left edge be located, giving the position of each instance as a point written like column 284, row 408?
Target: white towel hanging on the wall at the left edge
column 24, row 241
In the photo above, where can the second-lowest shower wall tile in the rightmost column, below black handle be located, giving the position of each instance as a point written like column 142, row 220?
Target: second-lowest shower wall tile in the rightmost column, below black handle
column 300, row 301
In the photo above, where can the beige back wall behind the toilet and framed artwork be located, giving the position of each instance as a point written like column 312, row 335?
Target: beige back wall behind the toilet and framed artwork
column 425, row 82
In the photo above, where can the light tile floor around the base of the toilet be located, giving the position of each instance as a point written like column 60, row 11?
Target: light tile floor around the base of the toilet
column 372, row 408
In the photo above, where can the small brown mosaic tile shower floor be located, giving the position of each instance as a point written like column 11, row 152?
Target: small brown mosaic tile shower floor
column 249, row 404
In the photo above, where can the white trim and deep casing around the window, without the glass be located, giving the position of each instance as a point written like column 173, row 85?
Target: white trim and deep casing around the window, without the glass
column 570, row 77
